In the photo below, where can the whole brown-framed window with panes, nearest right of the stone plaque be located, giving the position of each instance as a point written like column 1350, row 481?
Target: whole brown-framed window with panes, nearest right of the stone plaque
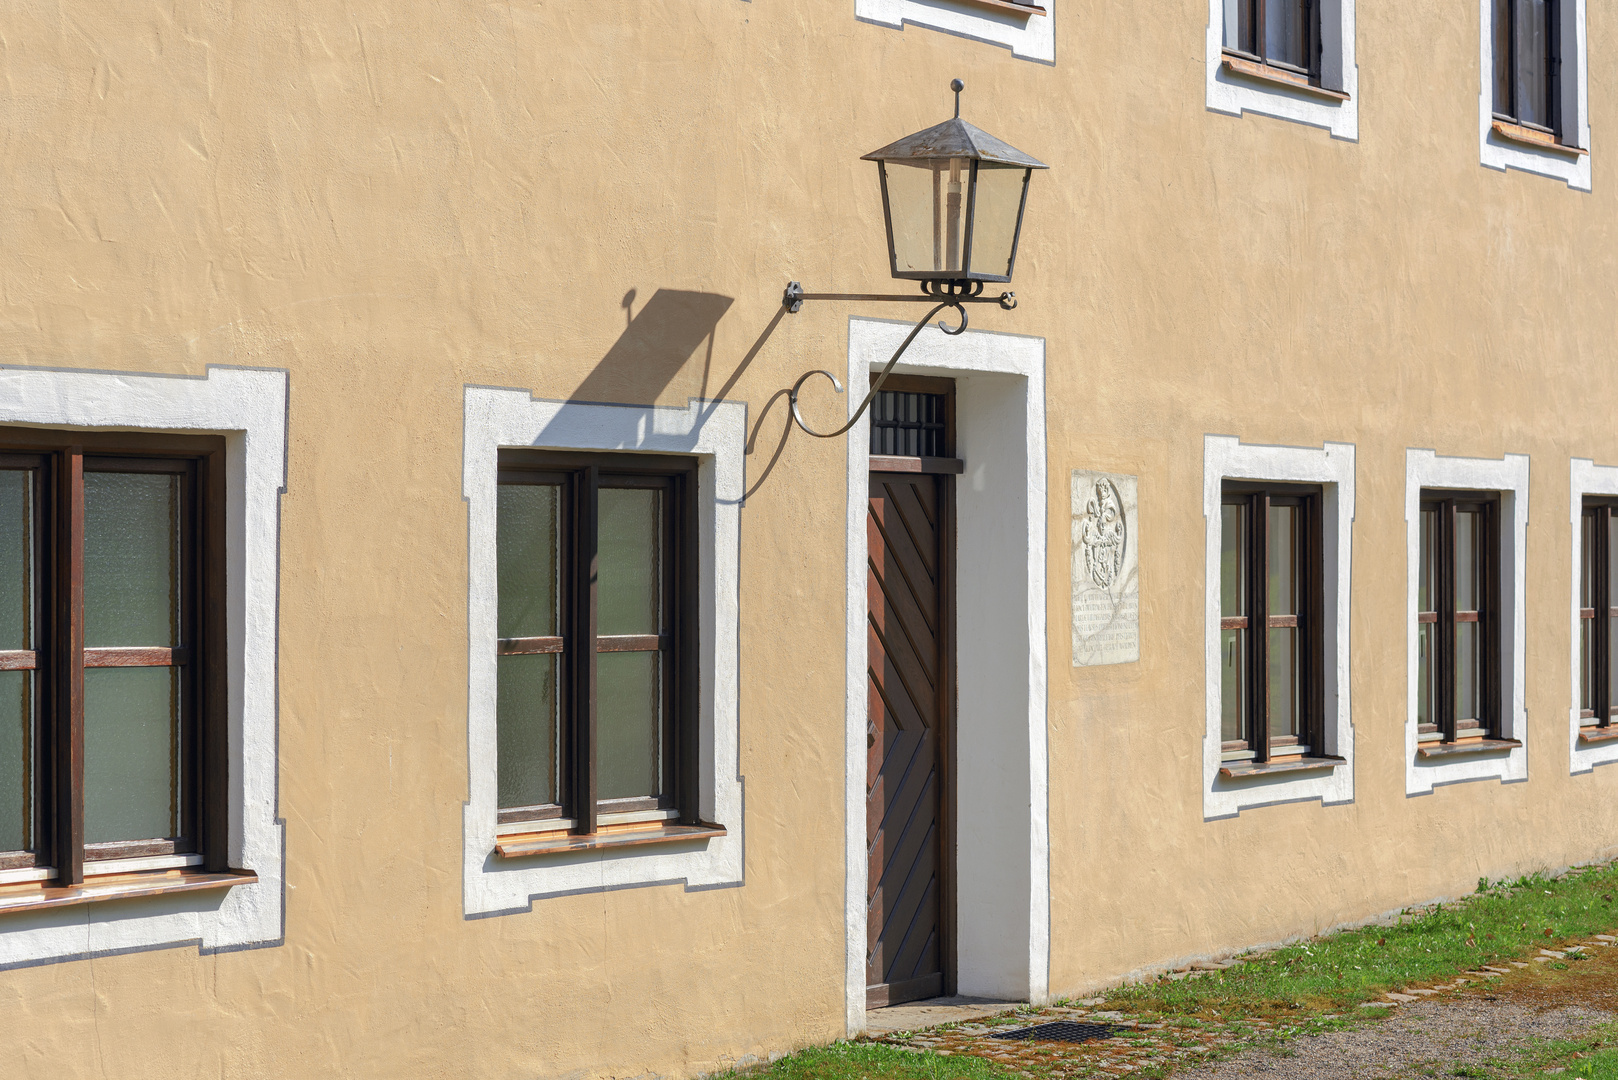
column 1271, row 623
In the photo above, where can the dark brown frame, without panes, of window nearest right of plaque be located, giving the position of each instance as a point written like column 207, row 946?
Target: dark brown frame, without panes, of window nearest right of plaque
column 1310, row 621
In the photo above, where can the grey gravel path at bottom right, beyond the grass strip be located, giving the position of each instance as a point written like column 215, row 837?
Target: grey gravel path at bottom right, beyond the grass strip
column 1421, row 1040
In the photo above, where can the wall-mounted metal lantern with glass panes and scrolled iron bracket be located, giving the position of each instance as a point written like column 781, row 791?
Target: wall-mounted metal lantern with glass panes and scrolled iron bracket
column 952, row 200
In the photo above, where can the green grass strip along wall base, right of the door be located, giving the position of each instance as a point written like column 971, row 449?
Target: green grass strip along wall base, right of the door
column 1502, row 922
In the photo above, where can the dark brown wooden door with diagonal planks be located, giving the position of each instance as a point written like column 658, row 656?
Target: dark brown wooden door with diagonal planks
column 905, row 770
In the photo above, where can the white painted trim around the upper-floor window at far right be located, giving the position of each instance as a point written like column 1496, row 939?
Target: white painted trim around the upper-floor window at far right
column 1497, row 153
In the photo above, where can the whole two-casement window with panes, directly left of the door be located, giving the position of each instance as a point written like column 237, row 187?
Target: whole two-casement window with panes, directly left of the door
column 596, row 687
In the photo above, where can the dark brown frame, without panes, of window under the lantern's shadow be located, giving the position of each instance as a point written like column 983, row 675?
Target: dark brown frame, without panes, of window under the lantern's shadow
column 582, row 477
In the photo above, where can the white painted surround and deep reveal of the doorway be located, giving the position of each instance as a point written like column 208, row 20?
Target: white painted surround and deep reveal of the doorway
column 1004, row 841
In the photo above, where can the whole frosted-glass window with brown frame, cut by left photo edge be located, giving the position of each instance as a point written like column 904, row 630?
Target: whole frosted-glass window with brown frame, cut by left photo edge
column 112, row 663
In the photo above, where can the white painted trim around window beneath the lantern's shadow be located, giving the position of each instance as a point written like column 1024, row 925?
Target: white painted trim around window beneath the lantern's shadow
column 711, row 432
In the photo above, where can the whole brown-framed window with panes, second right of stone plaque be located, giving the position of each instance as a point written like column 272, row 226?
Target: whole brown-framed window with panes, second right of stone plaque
column 1459, row 619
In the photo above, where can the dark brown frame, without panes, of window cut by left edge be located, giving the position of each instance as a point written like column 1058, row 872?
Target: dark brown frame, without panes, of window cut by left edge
column 61, row 462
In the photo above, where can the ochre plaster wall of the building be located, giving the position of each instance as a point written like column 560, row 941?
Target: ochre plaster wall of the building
column 397, row 200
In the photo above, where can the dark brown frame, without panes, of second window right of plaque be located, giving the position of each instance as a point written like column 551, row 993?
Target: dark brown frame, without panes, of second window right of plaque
column 1446, row 616
